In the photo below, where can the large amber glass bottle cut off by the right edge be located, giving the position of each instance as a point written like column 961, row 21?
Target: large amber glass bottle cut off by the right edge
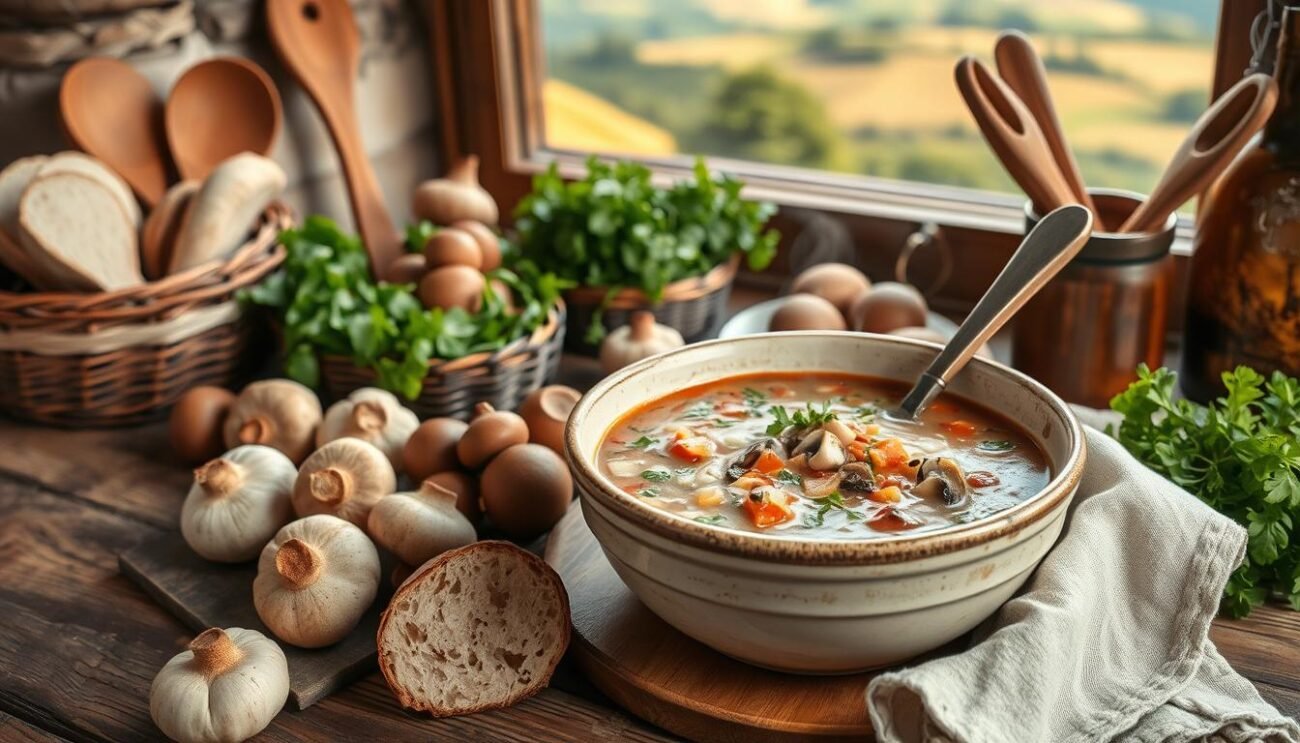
column 1243, row 303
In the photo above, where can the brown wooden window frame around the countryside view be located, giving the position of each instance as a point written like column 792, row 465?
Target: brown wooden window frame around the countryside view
column 489, row 68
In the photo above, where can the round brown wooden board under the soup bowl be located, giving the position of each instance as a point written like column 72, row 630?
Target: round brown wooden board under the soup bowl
column 668, row 679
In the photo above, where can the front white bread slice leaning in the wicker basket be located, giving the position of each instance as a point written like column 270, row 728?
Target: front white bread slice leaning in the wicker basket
column 75, row 229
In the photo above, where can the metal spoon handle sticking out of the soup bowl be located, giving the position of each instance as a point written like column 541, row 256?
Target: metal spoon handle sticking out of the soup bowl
column 1042, row 255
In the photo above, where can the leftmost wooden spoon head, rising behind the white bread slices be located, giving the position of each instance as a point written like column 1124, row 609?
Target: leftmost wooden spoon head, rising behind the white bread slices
column 111, row 112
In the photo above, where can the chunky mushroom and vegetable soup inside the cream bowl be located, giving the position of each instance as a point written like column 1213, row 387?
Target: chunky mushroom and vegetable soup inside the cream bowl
column 811, row 455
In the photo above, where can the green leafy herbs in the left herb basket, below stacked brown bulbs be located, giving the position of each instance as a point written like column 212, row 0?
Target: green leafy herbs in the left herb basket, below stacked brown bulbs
column 328, row 305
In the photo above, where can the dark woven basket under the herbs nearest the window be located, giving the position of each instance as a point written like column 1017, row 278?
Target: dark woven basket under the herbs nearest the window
column 695, row 307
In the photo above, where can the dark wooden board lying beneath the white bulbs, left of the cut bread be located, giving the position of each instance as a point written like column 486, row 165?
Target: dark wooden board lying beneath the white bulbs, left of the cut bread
column 205, row 594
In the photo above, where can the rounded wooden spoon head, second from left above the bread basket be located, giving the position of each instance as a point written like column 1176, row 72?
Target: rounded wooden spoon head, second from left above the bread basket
column 218, row 110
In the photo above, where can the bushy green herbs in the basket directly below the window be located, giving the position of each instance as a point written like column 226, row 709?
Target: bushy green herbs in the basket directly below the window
column 616, row 229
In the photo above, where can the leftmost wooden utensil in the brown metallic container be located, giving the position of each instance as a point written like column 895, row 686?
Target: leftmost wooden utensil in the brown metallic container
column 1013, row 134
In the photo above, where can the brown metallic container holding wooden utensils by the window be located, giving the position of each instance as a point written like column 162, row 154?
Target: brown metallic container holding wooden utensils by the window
column 1087, row 331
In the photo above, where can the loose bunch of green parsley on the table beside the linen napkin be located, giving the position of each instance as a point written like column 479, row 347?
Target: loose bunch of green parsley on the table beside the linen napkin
column 1241, row 455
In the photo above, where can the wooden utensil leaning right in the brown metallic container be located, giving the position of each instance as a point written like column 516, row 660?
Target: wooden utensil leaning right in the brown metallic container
column 1211, row 146
